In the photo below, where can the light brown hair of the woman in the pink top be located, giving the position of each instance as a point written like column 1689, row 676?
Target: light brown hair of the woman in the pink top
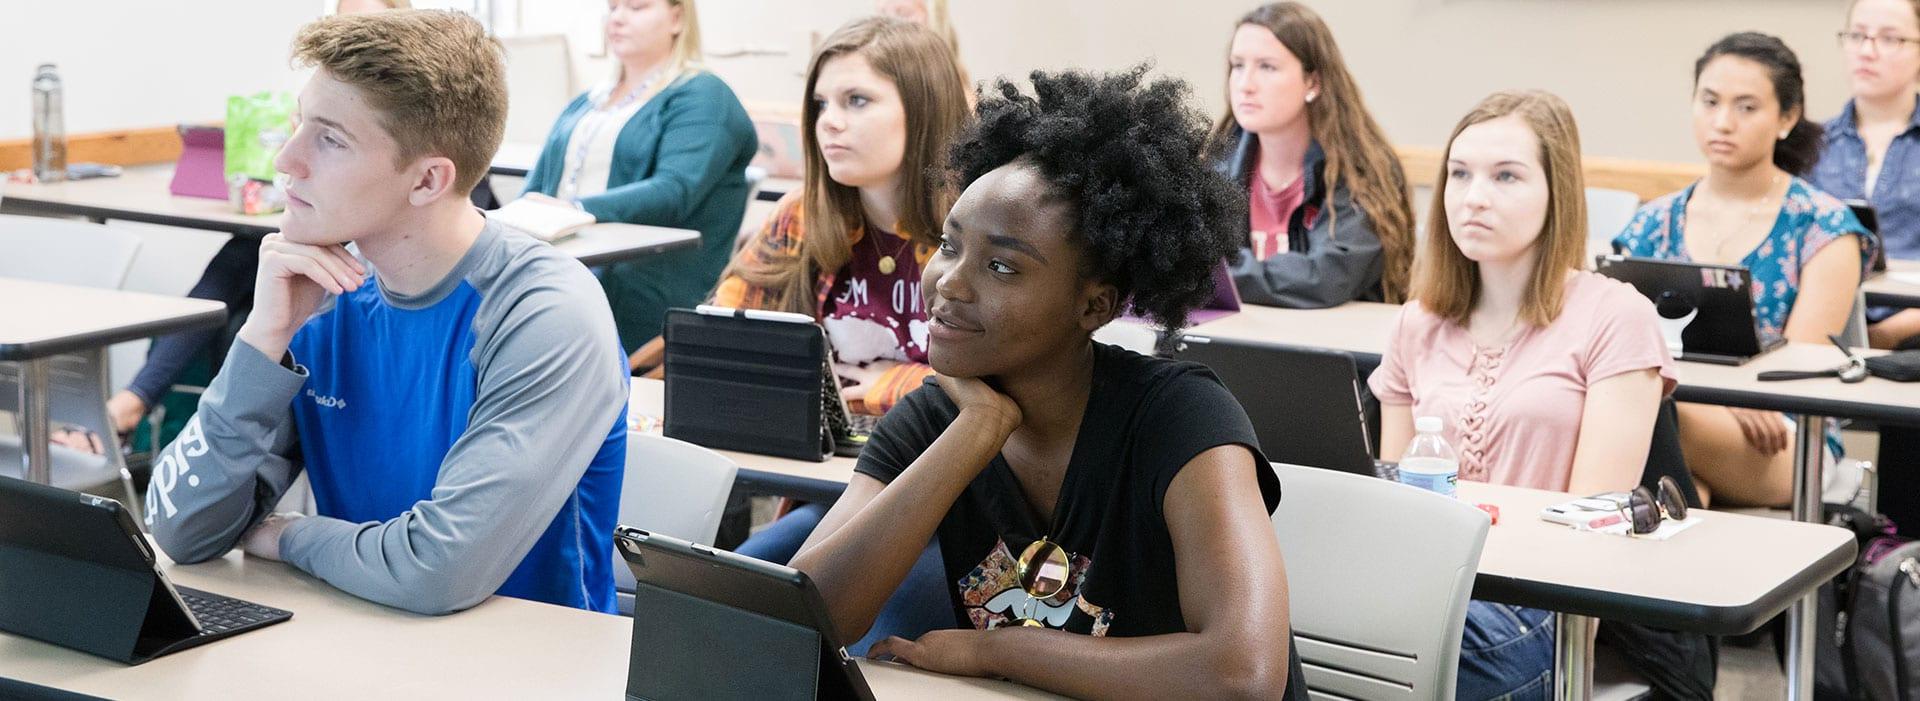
column 1447, row 283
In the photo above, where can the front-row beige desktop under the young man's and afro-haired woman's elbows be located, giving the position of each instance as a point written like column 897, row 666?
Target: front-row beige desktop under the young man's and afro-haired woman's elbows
column 345, row 648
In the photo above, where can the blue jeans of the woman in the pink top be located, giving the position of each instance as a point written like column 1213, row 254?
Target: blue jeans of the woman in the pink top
column 1506, row 652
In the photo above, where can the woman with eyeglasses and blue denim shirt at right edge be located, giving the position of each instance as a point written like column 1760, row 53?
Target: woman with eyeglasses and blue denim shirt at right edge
column 1873, row 149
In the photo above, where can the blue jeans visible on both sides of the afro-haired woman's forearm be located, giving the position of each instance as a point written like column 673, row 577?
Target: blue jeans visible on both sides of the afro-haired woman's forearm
column 919, row 606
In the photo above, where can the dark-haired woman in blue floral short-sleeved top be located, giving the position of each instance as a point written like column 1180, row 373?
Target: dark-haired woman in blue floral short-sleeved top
column 1808, row 253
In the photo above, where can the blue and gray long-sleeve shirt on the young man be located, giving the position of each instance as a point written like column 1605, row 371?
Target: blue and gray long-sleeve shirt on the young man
column 462, row 443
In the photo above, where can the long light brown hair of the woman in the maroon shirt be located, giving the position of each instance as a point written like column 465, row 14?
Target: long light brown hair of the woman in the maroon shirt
column 934, row 97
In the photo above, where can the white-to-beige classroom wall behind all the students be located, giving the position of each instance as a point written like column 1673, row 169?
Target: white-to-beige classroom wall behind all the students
column 1623, row 64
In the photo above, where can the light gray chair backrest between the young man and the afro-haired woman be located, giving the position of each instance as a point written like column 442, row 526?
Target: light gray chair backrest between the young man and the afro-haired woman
column 673, row 489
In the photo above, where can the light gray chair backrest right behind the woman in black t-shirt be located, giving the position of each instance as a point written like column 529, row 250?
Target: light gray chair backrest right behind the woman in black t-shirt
column 1380, row 575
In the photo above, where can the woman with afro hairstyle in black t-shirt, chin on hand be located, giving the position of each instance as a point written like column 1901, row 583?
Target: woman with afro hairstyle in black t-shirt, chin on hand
column 1103, row 516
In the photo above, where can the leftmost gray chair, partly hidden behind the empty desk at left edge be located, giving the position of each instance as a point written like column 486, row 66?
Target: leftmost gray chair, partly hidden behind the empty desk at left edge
column 85, row 254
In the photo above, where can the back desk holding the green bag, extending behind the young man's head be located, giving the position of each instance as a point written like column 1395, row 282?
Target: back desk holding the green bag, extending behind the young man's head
column 141, row 195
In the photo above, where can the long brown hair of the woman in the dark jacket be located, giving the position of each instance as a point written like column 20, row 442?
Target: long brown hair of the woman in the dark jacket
column 1358, row 155
